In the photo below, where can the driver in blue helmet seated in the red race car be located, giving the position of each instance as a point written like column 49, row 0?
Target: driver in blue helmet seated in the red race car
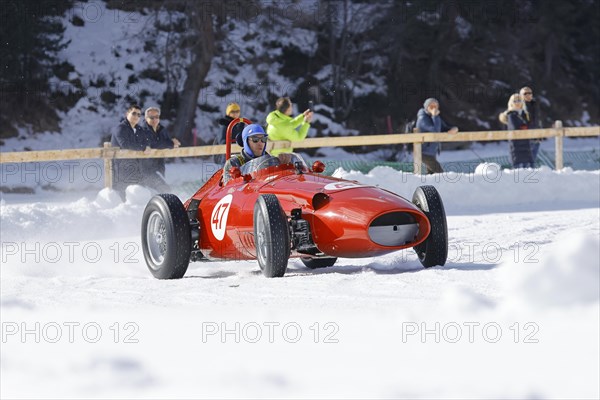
column 254, row 140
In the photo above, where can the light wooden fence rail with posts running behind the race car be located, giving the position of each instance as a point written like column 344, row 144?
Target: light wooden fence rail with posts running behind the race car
column 417, row 139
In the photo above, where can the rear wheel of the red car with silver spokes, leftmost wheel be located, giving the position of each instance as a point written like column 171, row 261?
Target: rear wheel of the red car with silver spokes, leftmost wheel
column 166, row 237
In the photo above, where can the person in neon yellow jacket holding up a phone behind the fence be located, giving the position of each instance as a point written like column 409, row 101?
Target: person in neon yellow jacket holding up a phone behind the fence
column 283, row 129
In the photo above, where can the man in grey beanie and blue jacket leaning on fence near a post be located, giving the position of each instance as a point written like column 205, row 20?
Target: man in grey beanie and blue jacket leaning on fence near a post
column 429, row 120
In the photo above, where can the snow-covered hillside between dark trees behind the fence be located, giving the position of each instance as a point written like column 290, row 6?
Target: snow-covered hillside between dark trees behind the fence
column 112, row 59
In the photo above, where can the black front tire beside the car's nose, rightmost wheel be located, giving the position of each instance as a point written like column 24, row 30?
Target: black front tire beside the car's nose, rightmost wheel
column 434, row 250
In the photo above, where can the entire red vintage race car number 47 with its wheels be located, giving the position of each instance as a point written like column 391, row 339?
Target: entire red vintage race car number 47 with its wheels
column 271, row 212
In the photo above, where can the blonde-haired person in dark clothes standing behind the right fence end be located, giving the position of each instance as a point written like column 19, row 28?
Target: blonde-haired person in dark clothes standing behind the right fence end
column 516, row 118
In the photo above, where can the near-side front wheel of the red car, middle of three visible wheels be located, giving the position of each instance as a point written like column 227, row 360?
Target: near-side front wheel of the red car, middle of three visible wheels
column 271, row 236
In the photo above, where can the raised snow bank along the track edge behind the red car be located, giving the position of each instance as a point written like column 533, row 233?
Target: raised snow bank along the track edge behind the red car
column 489, row 189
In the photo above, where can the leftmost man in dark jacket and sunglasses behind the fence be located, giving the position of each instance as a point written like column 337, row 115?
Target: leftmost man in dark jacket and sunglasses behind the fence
column 128, row 135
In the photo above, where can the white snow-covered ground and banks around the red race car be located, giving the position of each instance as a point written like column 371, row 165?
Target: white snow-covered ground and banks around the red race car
column 515, row 313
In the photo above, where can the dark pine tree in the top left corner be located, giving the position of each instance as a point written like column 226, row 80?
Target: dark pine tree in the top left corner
column 31, row 37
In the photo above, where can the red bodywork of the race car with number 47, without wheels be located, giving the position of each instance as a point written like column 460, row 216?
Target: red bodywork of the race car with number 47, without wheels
column 338, row 211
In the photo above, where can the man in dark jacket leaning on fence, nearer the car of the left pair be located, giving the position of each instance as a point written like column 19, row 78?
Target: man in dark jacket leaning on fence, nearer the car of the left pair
column 153, row 169
